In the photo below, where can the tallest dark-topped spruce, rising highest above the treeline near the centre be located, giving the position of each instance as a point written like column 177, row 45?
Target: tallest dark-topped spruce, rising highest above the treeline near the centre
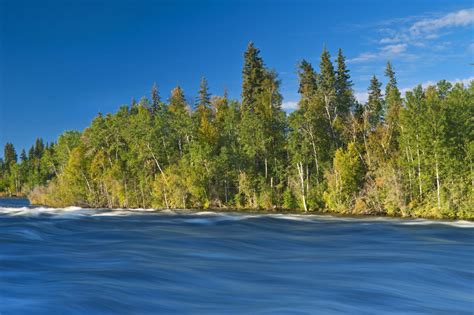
column 261, row 133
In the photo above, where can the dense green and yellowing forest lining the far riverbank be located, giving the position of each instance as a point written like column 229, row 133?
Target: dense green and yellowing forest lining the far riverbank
column 395, row 155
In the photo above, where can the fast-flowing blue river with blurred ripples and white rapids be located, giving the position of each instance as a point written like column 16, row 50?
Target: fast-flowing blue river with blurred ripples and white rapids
column 58, row 261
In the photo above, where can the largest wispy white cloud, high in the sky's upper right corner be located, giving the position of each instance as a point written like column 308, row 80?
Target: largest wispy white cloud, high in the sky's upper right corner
column 415, row 32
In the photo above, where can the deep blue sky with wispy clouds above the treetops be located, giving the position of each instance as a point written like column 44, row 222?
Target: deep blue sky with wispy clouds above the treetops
column 63, row 61
